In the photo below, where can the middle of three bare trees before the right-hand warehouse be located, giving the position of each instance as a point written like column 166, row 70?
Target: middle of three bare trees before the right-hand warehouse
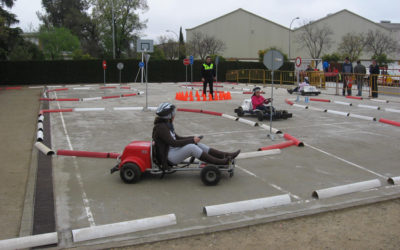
column 352, row 46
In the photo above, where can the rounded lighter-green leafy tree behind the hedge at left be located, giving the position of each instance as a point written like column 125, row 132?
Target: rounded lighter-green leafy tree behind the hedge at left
column 58, row 41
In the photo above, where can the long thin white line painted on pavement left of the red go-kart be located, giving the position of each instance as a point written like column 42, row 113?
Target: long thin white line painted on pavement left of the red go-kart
column 85, row 199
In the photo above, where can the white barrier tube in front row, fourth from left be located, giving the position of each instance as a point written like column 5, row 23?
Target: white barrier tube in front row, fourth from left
column 346, row 189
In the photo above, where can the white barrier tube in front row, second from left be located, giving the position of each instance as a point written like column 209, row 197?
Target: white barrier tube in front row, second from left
column 90, row 233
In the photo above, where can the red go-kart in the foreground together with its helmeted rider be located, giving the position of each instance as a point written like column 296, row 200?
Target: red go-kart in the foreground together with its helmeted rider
column 168, row 153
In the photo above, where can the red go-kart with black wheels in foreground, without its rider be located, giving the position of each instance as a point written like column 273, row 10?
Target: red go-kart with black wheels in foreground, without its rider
column 137, row 158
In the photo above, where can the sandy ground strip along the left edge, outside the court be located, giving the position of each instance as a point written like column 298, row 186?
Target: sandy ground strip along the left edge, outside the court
column 18, row 113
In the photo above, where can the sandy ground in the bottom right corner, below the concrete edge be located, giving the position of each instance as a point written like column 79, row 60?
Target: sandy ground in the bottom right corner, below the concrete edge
column 376, row 226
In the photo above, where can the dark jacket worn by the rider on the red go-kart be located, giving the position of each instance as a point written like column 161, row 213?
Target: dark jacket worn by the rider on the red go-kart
column 163, row 140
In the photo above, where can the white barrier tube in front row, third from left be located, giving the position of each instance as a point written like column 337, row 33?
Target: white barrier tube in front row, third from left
column 247, row 205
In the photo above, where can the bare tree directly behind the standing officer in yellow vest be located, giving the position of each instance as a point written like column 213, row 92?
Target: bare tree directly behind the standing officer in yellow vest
column 202, row 45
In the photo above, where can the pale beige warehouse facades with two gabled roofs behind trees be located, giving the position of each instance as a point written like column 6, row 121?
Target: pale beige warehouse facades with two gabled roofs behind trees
column 245, row 33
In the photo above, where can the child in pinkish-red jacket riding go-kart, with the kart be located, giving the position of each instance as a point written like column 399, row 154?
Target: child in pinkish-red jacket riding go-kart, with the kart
column 261, row 108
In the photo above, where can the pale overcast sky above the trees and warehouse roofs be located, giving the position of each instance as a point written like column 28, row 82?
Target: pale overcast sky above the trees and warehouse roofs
column 171, row 14
